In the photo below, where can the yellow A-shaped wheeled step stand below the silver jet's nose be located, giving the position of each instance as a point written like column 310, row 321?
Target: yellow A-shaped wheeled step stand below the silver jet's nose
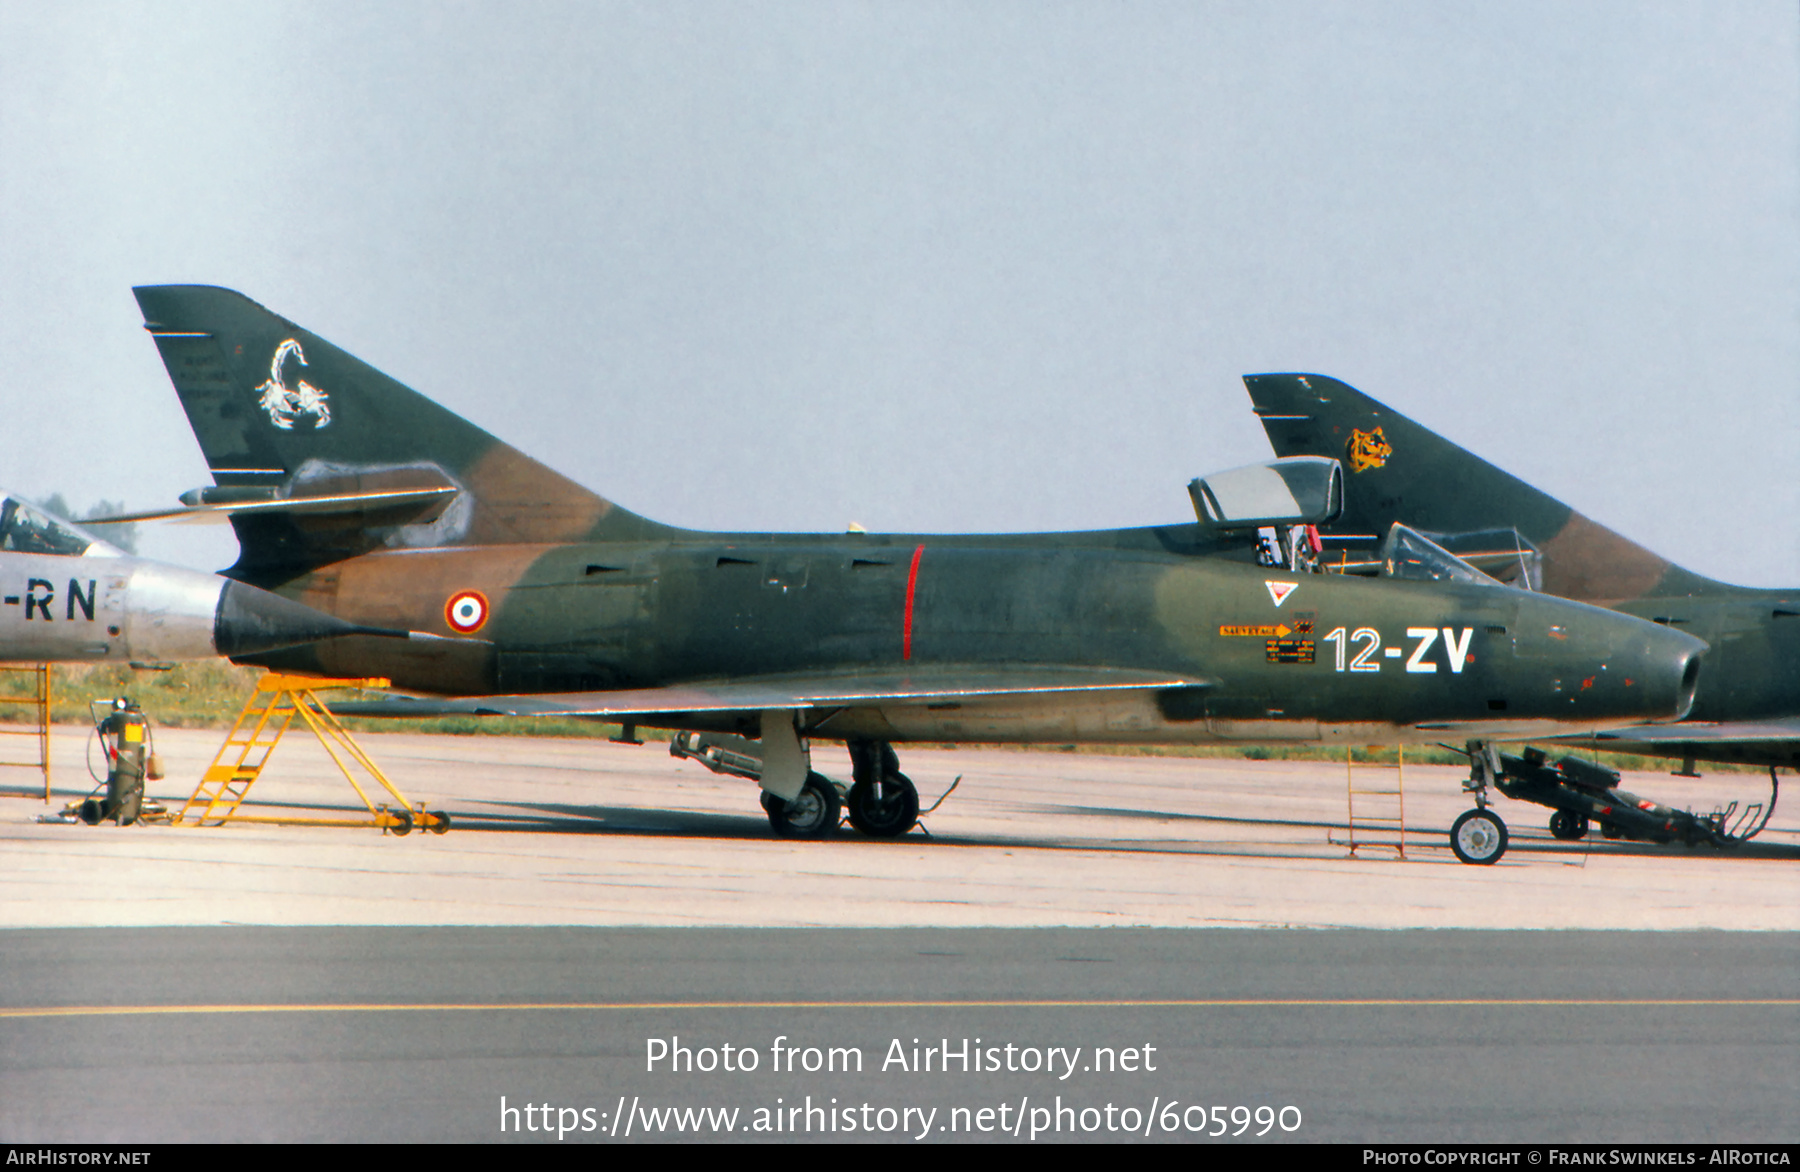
column 253, row 741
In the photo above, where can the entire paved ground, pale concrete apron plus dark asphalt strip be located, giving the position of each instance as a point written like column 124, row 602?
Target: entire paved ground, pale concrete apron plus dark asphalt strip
column 319, row 984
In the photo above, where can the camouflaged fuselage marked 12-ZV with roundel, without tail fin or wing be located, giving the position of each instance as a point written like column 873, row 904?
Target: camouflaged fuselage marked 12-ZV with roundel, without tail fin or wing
column 1275, row 656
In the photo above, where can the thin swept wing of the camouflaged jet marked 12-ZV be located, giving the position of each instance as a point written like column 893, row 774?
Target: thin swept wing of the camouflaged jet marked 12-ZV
column 793, row 692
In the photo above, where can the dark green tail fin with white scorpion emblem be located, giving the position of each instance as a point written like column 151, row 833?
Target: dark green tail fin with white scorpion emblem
column 280, row 413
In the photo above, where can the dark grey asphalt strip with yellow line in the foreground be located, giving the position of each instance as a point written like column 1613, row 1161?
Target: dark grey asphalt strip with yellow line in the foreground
column 1583, row 1038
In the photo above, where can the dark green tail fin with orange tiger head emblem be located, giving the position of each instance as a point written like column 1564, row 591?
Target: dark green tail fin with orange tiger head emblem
column 1399, row 471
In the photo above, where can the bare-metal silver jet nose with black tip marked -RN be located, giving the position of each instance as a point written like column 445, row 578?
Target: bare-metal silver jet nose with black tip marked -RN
column 69, row 597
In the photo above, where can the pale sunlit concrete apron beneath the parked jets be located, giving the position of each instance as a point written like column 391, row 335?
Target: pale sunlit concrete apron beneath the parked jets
column 586, row 833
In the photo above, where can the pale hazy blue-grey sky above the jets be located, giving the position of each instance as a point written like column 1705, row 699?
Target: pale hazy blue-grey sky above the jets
column 935, row 266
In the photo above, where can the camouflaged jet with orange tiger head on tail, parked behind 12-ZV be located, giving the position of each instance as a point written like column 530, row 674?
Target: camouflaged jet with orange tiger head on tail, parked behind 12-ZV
column 1749, row 710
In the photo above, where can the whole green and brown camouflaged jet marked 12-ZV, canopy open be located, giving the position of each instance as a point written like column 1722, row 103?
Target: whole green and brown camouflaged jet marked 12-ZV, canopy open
column 361, row 498
